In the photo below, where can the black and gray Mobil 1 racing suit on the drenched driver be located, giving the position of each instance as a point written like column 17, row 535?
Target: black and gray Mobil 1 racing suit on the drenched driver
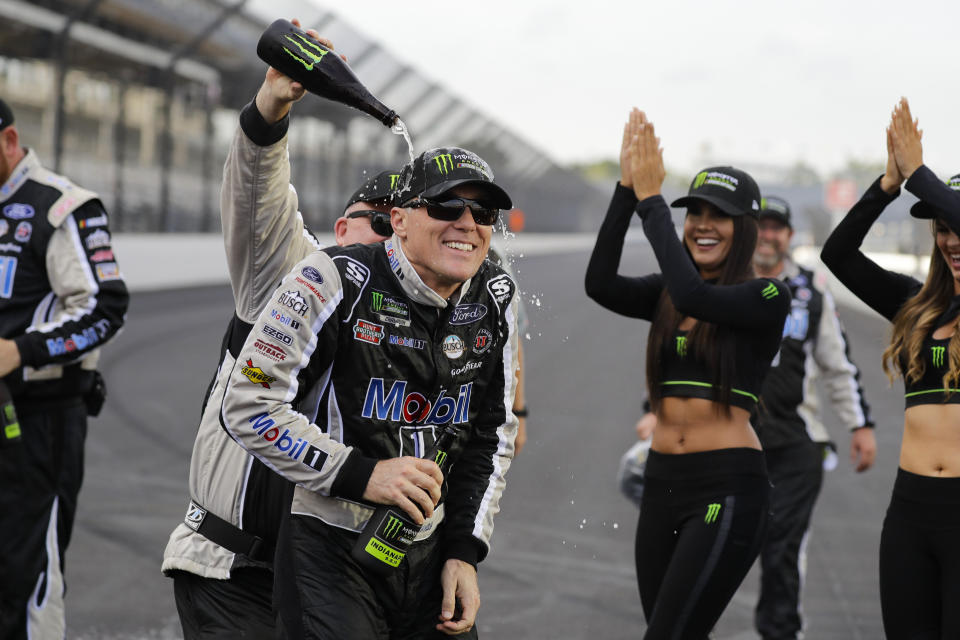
column 369, row 364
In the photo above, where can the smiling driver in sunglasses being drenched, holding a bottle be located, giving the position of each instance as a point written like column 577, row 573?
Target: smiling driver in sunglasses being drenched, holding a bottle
column 389, row 343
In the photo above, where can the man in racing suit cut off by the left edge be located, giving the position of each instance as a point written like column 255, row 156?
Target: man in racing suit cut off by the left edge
column 61, row 299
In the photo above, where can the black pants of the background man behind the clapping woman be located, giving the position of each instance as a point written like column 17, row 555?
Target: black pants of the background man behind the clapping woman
column 796, row 473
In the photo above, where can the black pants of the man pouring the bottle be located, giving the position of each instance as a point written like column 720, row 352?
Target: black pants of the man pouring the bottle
column 240, row 607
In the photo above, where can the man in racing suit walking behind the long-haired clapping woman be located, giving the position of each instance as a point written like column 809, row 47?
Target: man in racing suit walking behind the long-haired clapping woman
column 794, row 440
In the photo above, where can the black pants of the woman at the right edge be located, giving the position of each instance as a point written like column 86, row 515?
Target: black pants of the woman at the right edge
column 920, row 559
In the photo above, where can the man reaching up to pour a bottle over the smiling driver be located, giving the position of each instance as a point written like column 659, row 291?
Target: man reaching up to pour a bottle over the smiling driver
column 221, row 555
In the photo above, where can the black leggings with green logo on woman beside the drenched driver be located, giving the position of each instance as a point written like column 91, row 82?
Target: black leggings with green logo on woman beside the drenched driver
column 702, row 519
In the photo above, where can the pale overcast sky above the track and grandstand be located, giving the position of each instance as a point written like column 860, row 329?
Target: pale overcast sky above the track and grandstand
column 752, row 81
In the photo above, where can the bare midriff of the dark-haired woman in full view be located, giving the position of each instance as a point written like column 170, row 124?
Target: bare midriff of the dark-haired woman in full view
column 689, row 425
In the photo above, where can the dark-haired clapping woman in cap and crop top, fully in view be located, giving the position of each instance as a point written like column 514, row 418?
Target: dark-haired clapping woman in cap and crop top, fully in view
column 715, row 330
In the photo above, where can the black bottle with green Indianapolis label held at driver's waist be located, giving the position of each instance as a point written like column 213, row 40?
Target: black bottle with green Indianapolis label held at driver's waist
column 384, row 541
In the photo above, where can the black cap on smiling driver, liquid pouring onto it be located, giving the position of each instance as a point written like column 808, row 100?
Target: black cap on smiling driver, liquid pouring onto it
column 436, row 171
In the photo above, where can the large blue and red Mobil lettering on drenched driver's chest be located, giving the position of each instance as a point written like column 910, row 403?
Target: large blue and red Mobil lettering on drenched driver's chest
column 414, row 407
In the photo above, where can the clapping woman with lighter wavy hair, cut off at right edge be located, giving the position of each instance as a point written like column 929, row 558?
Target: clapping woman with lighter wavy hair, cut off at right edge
column 920, row 542
